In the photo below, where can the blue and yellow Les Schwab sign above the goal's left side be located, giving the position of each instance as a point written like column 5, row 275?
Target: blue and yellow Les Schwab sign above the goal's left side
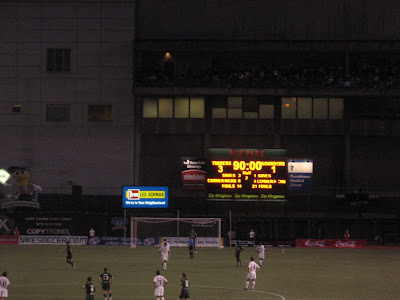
column 144, row 196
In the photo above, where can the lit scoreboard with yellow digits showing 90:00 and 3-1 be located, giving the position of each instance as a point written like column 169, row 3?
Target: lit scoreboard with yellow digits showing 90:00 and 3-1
column 247, row 174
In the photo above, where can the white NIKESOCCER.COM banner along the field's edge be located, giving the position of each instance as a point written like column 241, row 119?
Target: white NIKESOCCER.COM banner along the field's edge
column 51, row 240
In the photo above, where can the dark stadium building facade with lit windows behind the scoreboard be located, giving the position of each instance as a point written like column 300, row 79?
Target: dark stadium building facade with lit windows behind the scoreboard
column 100, row 94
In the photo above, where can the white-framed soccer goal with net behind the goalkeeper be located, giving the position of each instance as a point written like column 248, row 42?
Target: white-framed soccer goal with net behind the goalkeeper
column 176, row 231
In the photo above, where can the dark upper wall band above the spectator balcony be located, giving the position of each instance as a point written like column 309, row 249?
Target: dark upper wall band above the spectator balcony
column 268, row 20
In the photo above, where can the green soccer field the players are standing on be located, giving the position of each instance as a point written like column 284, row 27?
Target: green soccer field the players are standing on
column 40, row 272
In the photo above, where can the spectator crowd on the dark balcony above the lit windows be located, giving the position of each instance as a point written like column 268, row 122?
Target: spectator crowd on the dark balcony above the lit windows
column 366, row 75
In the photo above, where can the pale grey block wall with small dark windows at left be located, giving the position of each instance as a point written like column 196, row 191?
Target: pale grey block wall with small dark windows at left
column 96, row 155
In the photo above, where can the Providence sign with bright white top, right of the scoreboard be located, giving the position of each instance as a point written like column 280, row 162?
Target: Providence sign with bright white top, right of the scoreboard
column 300, row 173
